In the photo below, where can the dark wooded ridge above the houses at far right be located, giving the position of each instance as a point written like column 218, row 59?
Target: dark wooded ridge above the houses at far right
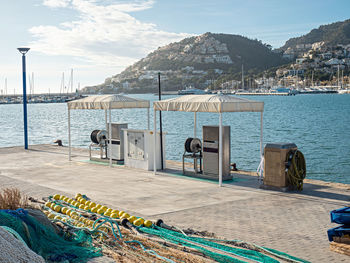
column 332, row 34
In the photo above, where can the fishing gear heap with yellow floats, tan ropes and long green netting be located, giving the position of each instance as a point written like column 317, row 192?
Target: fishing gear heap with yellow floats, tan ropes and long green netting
column 128, row 238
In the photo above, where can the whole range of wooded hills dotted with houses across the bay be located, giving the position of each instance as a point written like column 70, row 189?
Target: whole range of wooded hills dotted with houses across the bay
column 209, row 60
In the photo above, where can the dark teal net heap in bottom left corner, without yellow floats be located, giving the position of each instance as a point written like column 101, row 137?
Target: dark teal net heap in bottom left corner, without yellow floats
column 48, row 241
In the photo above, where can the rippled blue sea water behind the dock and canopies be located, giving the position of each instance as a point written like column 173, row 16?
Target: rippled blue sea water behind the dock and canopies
column 318, row 124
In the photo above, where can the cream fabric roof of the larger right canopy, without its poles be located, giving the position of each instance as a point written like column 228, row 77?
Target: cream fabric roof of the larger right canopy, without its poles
column 209, row 103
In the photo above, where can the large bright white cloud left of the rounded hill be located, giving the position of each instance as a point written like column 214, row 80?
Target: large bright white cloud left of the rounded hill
column 103, row 34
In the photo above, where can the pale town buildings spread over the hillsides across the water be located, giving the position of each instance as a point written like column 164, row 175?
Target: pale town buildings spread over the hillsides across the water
column 311, row 64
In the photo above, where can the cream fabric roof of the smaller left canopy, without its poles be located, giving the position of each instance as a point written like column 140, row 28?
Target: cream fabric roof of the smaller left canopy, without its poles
column 107, row 102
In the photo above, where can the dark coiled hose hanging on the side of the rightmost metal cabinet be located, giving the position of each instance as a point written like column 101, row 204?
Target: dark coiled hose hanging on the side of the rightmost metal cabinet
column 296, row 169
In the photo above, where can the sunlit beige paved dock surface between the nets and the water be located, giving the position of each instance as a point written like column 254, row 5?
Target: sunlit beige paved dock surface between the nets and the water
column 295, row 223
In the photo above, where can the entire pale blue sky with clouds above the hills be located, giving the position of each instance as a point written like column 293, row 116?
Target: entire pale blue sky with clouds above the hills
column 100, row 38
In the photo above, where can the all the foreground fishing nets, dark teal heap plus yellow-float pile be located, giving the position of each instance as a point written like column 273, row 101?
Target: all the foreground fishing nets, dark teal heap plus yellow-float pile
column 124, row 241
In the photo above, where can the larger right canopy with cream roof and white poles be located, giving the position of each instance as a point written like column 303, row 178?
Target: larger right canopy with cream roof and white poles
column 211, row 103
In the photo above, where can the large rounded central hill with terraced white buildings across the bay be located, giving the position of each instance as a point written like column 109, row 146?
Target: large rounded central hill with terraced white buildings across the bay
column 195, row 61
